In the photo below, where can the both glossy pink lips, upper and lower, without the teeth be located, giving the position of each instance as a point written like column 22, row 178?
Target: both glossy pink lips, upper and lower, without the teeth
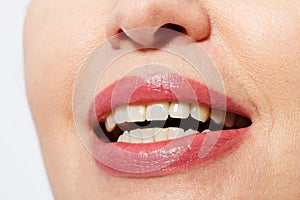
column 156, row 159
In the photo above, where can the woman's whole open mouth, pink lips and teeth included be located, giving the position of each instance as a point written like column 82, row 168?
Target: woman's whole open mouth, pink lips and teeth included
column 158, row 125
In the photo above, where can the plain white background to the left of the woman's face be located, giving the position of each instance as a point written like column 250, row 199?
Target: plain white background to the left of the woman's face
column 22, row 174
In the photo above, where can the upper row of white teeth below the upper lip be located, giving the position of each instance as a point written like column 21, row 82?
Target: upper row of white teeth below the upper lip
column 161, row 111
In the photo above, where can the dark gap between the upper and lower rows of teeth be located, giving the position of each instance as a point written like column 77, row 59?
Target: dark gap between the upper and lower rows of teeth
column 185, row 124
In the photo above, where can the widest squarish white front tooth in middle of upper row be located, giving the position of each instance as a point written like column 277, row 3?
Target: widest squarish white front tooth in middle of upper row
column 157, row 111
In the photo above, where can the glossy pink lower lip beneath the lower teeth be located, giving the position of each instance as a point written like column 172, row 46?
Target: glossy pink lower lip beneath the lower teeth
column 166, row 157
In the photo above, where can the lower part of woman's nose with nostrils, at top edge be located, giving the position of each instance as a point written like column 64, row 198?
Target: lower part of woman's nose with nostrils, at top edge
column 185, row 16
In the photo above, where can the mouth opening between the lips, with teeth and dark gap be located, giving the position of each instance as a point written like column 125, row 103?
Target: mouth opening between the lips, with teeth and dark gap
column 163, row 121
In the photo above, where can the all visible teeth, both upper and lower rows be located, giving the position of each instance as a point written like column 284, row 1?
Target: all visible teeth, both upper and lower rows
column 161, row 111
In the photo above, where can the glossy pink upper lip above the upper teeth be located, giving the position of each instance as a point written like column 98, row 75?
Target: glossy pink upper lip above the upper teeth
column 161, row 88
